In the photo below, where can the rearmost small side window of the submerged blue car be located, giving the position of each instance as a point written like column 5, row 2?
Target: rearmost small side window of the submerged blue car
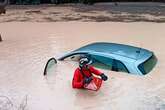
column 119, row 66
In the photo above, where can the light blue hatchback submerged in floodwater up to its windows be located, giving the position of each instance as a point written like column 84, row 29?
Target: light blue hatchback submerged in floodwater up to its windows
column 116, row 57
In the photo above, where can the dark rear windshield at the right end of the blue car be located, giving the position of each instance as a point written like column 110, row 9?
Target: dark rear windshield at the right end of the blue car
column 148, row 65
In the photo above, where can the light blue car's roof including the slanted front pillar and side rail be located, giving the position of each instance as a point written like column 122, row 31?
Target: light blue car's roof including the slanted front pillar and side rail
column 120, row 52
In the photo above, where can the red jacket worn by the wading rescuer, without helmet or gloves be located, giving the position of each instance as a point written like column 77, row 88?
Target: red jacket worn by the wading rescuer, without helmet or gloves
column 79, row 78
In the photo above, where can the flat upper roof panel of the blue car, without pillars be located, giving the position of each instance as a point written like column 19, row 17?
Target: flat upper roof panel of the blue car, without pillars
column 113, row 48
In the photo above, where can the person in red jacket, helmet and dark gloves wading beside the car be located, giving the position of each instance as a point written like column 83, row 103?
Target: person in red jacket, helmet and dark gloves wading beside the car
column 84, row 74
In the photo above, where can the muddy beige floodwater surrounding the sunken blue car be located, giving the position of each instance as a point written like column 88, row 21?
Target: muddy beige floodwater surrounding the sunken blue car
column 26, row 47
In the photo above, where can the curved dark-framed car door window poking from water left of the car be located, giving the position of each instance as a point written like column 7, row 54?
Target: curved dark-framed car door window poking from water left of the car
column 50, row 66
